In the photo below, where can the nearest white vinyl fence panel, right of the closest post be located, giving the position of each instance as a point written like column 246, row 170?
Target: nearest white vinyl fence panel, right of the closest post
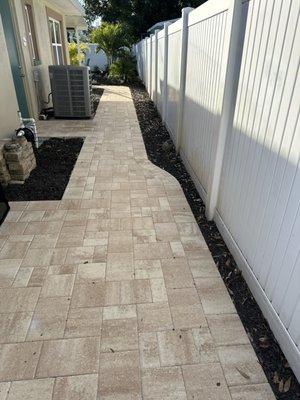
column 259, row 196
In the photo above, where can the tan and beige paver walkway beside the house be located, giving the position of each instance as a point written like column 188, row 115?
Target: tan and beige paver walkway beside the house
column 112, row 293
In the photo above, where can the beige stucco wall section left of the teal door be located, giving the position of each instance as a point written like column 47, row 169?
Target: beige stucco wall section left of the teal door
column 8, row 100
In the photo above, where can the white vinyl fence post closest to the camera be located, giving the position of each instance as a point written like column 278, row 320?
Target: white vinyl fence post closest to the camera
column 237, row 27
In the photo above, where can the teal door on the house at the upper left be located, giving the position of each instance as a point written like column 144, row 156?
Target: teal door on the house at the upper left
column 16, row 68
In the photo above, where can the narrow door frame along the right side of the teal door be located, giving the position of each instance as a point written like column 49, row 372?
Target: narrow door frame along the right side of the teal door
column 21, row 57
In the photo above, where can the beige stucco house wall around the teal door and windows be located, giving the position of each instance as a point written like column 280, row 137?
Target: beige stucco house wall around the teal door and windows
column 36, row 80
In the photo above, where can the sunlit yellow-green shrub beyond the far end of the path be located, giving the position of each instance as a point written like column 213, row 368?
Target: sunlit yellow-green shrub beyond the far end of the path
column 111, row 38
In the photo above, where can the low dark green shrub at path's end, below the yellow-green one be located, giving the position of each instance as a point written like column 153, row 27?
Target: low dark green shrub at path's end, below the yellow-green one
column 123, row 69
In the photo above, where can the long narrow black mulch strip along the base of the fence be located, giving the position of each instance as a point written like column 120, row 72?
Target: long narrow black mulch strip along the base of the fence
column 162, row 153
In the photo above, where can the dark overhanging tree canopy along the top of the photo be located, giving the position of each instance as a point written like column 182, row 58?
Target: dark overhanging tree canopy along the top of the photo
column 137, row 15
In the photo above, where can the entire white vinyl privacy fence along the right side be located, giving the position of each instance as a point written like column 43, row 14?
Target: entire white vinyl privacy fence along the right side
column 225, row 78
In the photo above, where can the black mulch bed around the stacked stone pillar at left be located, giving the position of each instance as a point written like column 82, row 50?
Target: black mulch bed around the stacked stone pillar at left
column 55, row 159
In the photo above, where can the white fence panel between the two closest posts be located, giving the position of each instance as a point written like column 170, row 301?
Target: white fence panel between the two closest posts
column 206, row 65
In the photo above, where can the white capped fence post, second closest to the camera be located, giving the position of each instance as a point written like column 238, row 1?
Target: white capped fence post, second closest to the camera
column 183, row 57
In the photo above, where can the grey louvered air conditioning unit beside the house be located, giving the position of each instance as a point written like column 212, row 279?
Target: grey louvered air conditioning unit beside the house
column 71, row 91
